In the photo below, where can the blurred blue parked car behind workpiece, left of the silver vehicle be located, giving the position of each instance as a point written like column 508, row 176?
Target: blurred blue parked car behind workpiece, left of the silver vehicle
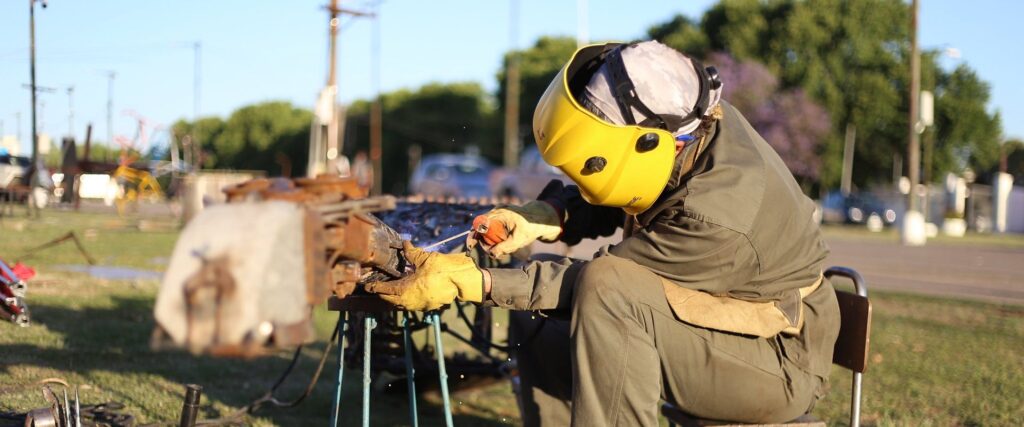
column 452, row 176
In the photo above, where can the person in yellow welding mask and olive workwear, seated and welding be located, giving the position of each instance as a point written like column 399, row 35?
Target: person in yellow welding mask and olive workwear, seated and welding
column 713, row 302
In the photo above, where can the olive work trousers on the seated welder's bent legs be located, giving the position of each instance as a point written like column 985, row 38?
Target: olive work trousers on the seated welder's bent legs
column 624, row 352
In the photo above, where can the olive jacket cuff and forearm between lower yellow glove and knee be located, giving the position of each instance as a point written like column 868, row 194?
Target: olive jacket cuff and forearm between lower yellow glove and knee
column 536, row 286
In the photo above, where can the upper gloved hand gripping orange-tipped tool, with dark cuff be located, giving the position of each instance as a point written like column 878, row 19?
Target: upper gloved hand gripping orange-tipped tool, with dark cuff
column 524, row 225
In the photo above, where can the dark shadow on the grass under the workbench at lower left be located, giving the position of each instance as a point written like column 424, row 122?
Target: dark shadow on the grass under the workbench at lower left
column 109, row 349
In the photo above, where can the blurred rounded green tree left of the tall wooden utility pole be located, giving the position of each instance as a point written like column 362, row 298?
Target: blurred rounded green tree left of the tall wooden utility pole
column 270, row 137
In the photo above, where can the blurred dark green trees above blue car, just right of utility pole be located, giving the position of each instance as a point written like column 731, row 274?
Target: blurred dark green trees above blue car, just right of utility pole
column 438, row 118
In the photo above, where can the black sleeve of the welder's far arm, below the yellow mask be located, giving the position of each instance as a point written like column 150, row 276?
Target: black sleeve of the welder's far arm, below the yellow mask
column 581, row 220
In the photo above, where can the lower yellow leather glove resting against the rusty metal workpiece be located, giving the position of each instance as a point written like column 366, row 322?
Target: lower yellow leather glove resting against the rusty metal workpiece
column 439, row 280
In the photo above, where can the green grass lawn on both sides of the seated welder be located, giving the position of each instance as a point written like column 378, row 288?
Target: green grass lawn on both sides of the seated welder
column 933, row 362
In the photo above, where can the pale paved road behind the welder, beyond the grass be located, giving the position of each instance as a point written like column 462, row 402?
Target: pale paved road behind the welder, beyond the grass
column 988, row 273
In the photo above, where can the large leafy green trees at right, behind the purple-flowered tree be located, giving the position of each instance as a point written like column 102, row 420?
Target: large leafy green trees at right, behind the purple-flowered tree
column 854, row 59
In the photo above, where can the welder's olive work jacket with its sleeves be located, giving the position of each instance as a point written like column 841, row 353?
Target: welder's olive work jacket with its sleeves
column 735, row 226
